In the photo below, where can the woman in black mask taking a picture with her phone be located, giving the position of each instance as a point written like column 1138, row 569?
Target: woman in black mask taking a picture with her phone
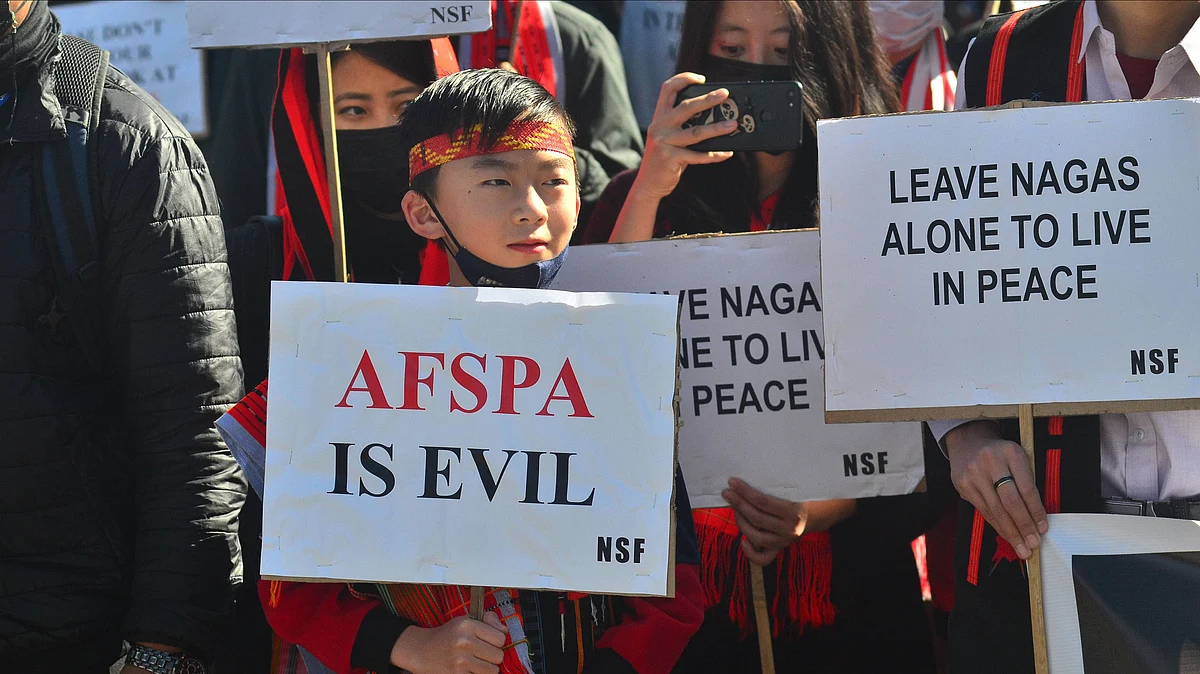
column 842, row 582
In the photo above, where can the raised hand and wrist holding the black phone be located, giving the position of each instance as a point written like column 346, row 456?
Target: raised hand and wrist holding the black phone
column 668, row 154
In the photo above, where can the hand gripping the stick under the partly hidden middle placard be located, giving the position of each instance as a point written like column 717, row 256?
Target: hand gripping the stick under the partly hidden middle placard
column 770, row 525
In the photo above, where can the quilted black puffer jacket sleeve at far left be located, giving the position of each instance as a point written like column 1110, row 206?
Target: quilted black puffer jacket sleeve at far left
column 175, row 352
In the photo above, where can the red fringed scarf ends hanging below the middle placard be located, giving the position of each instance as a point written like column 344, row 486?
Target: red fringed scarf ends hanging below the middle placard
column 803, row 576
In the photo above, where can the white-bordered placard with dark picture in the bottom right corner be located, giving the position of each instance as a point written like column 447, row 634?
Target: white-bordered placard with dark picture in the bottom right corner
column 1076, row 537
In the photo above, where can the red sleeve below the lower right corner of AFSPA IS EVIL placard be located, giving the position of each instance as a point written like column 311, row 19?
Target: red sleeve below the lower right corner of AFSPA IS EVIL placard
column 653, row 639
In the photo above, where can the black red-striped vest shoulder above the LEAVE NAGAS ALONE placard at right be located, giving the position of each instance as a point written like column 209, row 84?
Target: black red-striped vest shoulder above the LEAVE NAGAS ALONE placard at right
column 1031, row 55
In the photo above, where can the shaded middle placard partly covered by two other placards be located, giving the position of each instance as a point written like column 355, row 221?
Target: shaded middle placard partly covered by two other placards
column 751, row 356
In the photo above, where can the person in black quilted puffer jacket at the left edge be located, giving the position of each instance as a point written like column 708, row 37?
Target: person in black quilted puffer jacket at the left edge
column 118, row 500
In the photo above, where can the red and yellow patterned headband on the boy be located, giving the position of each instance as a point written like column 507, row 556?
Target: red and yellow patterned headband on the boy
column 466, row 143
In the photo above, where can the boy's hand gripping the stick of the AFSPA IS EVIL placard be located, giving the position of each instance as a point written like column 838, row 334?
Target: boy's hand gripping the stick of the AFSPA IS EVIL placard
column 460, row 647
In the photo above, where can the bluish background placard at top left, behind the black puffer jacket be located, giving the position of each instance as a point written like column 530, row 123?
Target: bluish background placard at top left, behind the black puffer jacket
column 148, row 41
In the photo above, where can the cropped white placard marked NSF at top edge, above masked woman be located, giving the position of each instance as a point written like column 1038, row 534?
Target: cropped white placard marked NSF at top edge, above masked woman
column 269, row 23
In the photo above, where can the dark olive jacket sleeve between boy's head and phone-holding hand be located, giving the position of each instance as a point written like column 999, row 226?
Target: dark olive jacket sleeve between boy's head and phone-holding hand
column 608, row 141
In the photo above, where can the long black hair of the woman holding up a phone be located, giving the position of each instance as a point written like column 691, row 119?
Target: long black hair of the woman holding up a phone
column 835, row 56
